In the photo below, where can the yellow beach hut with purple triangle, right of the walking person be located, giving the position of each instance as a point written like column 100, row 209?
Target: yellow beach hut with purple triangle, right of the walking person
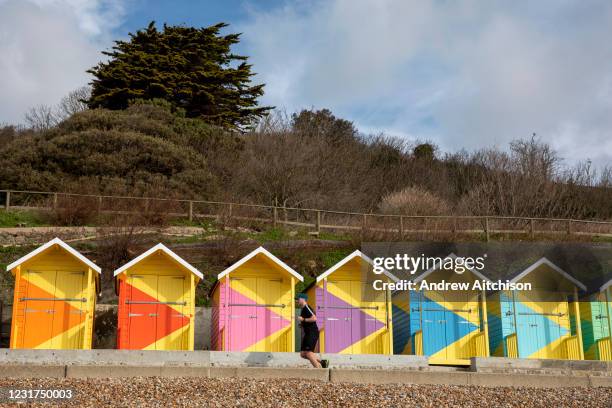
column 353, row 318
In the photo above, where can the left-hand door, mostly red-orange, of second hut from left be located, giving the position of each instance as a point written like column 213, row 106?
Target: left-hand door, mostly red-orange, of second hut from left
column 142, row 312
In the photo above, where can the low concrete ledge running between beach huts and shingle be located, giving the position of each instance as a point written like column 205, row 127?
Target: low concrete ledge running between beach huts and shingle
column 370, row 369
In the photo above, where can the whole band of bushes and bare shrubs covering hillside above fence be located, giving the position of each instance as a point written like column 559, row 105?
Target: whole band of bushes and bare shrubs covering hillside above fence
column 310, row 160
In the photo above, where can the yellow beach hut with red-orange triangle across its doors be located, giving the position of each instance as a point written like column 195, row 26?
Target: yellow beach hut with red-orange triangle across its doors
column 156, row 301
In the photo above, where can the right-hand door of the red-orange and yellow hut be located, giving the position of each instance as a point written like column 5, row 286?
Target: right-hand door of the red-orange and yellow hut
column 172, row 324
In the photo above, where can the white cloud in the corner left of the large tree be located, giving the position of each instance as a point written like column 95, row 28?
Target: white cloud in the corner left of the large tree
column 46, row 47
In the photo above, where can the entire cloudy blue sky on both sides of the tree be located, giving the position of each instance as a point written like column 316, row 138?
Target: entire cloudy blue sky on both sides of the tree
column 464, row 75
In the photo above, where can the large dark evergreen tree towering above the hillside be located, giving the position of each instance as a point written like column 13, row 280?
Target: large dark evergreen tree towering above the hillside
column 192, row 68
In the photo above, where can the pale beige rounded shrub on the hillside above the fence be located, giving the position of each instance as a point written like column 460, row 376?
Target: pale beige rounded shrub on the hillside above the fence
column 414, row 201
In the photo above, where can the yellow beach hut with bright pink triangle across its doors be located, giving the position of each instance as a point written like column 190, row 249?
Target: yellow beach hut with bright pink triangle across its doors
column 253, row 305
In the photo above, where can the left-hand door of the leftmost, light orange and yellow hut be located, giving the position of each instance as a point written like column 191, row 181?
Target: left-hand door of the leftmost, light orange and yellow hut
column 38, row 308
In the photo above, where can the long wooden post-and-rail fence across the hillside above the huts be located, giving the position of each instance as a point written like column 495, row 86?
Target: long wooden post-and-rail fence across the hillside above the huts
column 316, row 220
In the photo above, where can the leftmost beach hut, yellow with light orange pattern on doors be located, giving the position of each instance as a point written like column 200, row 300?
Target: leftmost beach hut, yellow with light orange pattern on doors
column 54, row 298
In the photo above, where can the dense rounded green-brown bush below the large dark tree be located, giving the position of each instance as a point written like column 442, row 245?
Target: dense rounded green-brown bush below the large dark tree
column 143, row 149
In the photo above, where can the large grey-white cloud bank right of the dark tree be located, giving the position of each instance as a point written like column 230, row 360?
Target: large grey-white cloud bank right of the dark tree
column 464, row 74
